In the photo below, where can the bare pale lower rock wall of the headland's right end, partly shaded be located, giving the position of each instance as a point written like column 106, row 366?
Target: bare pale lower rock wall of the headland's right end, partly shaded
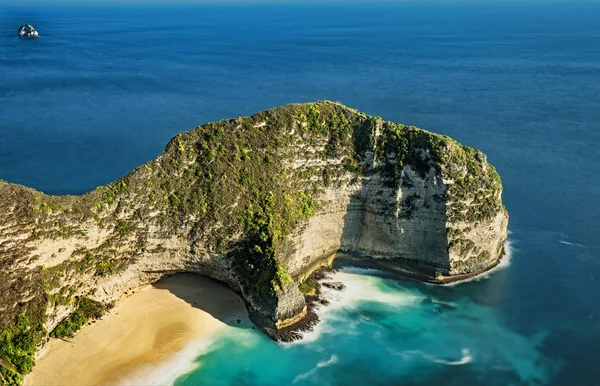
column 394, row 224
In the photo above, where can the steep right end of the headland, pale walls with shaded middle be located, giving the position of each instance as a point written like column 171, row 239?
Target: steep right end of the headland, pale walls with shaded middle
column 424, row 206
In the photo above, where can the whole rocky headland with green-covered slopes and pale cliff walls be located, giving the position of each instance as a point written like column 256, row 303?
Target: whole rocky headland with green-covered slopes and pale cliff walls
column 257, row 203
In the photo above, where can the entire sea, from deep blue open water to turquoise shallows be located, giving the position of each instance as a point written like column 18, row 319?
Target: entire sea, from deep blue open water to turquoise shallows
column 104, row 88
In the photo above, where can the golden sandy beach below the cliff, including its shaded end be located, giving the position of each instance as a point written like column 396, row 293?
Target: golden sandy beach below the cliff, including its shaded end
column 144, row 330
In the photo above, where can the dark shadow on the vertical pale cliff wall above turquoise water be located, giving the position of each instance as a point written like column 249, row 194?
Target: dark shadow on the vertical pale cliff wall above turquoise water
column 383, row 224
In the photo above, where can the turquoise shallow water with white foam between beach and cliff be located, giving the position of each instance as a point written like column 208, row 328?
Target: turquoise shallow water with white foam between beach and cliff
column 383, row 331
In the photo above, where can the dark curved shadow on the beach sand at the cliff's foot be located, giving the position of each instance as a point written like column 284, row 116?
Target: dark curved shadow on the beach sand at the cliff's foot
column 208, row 295
